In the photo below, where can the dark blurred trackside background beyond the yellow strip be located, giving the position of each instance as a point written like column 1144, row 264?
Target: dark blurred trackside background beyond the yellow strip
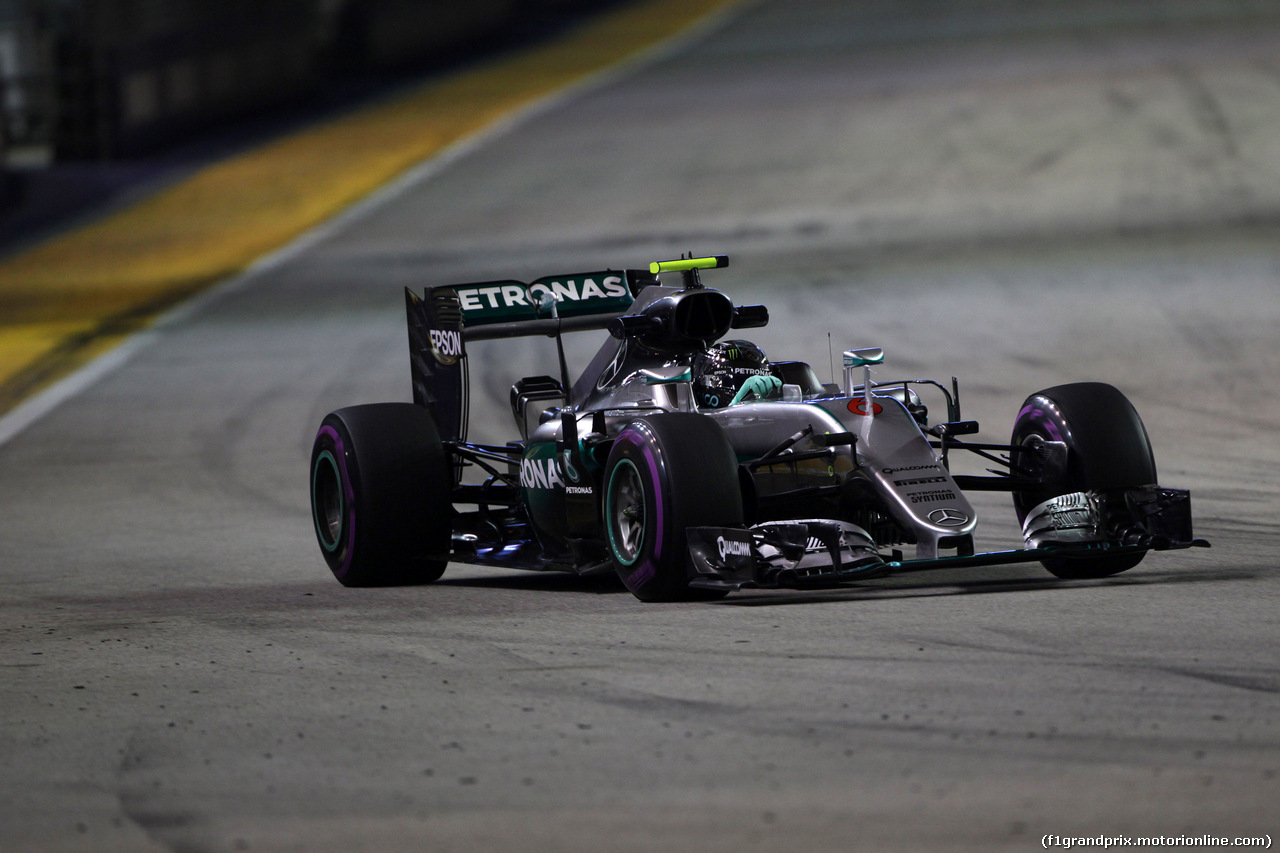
column 106, row 99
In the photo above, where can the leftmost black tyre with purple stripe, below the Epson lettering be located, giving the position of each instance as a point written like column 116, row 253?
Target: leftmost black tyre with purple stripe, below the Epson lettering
column 381, row 487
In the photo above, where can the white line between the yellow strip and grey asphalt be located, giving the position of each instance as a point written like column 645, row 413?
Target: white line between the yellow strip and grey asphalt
column 40, row 405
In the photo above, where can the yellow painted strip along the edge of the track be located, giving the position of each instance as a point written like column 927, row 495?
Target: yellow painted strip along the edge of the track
column 66, row 300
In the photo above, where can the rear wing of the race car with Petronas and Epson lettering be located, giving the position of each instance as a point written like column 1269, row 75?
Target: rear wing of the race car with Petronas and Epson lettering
column 447, row 317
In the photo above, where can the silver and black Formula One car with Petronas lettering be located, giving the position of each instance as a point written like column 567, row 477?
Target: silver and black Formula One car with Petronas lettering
column 694, row 467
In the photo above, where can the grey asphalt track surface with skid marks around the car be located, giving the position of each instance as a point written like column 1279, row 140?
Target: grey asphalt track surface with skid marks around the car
column 1016, row 195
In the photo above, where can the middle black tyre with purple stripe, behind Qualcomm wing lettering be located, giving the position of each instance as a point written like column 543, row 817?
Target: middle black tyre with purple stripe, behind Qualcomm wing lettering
column 665, row 475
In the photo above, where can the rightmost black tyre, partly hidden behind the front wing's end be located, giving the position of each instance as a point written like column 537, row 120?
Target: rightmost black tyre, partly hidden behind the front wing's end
column 1107, row 449
